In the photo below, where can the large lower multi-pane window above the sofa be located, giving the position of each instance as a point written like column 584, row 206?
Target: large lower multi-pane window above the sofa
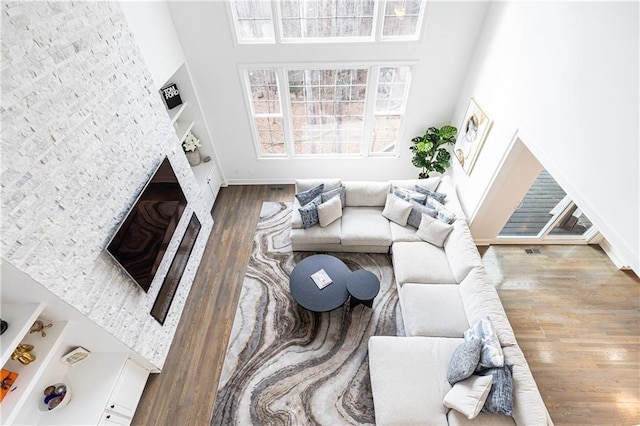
column 328, row 111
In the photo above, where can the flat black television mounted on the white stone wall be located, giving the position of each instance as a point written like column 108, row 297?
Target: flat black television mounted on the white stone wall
column 142, row 238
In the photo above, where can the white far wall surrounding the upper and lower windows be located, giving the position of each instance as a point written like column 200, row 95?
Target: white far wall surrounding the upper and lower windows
column 213, row 58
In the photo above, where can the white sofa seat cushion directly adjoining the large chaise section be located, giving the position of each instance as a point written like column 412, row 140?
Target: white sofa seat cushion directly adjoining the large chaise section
column 433, row 310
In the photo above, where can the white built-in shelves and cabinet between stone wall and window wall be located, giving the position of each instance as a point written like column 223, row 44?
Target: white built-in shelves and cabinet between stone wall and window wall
column 188, row 118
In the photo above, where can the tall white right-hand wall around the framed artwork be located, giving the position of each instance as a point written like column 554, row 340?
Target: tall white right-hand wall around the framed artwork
column 564, row 76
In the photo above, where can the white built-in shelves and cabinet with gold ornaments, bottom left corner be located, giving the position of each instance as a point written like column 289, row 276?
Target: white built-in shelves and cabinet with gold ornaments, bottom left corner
column 108, row 377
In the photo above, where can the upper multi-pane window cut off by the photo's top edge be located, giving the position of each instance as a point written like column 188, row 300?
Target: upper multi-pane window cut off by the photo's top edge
column 266, row 21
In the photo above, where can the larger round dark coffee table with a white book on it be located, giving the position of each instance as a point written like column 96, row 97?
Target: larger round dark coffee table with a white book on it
column 305, row 291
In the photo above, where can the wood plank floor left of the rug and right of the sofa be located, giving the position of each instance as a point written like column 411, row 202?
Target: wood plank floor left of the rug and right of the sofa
column 575, row 316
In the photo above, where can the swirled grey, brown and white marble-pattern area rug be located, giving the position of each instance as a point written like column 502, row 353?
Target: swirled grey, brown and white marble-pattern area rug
column 285, row 365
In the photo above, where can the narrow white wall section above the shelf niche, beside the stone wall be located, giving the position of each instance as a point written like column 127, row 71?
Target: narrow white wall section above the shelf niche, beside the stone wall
column 153, row 29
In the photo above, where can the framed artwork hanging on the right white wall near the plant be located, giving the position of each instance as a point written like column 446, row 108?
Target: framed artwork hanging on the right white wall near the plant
column 473, row 132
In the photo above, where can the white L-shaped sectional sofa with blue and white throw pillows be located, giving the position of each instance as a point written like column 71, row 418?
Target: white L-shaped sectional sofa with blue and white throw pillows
column 443, row 291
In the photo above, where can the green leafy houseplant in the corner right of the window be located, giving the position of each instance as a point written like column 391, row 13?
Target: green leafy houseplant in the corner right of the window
column 429, row 150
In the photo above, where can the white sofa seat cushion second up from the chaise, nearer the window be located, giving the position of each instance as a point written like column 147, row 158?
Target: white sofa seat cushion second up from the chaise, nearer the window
column 420, row 262
